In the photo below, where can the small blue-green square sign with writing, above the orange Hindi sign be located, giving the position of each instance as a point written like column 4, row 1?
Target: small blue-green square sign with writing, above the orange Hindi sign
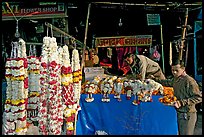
column 153, row 19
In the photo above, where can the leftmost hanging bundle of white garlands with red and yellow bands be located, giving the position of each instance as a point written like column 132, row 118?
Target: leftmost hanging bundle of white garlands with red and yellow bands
column 17, row 90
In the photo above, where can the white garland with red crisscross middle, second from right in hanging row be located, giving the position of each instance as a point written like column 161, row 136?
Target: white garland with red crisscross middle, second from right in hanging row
column 67, row 91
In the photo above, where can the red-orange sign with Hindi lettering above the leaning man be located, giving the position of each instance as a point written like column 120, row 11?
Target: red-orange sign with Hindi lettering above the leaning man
column 138, row 40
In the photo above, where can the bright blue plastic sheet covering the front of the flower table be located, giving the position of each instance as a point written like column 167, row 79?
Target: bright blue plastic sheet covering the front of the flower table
column 124, row 118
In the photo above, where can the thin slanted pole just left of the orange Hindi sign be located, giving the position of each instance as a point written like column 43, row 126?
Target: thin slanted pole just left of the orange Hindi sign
column 85, row 37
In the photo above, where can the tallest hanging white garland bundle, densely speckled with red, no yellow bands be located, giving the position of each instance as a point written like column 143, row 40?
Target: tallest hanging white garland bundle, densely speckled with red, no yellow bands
column 50, row 110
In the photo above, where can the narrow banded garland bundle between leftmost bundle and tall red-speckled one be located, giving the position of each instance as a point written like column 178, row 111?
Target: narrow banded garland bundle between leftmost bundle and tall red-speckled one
column 34, row 87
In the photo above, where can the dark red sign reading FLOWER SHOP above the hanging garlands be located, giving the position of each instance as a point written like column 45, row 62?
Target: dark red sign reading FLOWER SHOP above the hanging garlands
column 32, row 11
